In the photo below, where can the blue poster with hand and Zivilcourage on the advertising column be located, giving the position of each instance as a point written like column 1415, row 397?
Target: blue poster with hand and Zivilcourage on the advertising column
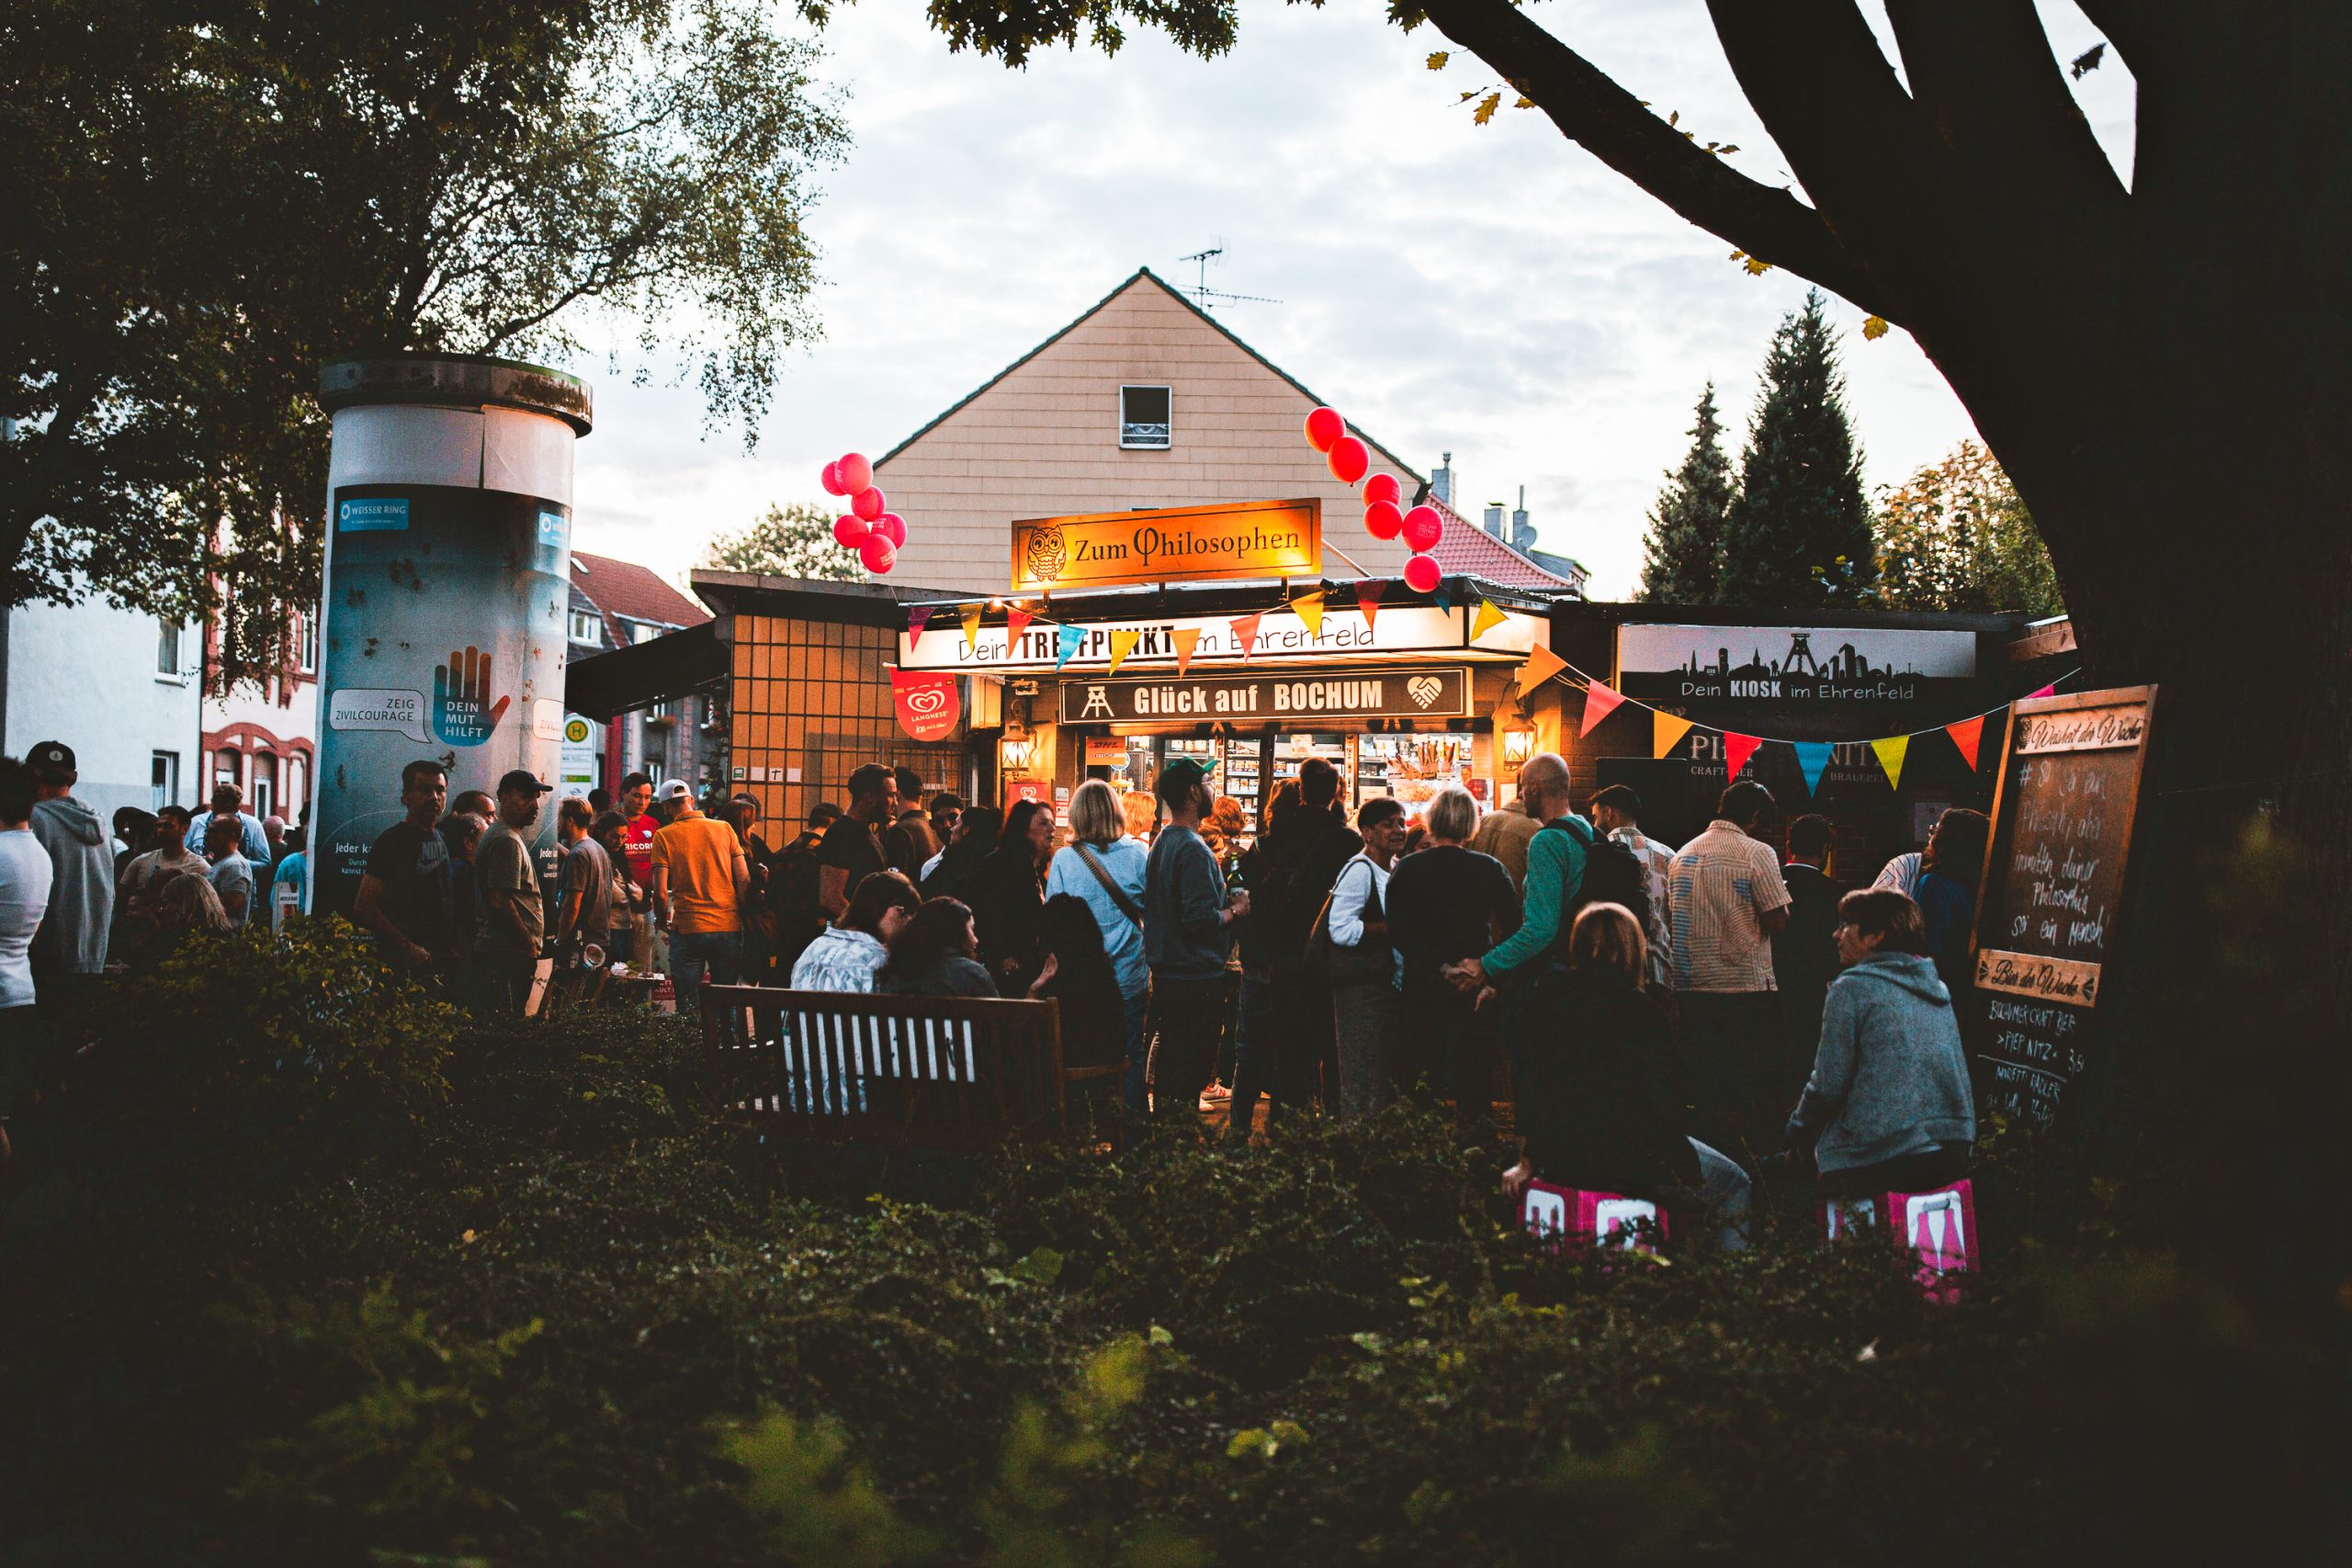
column 443, row 641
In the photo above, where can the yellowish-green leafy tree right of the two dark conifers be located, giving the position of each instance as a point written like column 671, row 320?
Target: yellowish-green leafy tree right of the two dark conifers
column 1958, row 537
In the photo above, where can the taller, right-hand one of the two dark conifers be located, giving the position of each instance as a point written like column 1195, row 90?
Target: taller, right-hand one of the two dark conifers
column 1798, row 532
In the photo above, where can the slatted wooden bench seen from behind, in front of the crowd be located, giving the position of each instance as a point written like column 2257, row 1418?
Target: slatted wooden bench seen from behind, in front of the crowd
column 926, row 1073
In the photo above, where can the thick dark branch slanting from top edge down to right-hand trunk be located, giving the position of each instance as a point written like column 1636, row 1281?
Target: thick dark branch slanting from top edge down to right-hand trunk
column 1593, row 112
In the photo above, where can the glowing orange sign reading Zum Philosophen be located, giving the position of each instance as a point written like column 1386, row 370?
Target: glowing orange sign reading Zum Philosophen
column 1248, row 540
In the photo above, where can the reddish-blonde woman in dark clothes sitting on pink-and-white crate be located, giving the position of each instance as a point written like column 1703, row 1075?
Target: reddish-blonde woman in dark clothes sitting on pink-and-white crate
column 1598, row 1099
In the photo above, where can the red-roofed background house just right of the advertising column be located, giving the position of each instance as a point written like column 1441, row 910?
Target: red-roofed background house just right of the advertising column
column 620, row 605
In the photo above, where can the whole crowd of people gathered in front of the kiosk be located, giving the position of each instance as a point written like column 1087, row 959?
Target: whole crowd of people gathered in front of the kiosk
column 1671, row 1017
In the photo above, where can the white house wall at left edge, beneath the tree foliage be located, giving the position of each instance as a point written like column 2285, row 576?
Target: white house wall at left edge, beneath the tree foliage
column 93, row 678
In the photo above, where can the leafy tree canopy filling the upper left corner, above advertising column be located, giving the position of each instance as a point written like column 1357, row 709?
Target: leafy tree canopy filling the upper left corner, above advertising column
column 206, row 203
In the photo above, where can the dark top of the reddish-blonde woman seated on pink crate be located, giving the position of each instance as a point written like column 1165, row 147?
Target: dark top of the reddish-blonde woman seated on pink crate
column 1598, row 1099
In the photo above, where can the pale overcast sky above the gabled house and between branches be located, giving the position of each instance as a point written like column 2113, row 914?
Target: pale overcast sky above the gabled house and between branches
column 1492, row 293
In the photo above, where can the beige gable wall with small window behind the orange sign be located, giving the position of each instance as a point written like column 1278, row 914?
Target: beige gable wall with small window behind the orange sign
column 1045, row 443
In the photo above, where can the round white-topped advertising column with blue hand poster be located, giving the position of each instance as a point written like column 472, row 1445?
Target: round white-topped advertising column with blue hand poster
column 446, row 591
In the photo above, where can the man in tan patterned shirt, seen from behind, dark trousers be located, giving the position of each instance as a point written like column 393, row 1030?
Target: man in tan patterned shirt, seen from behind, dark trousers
column 1728, row 902
